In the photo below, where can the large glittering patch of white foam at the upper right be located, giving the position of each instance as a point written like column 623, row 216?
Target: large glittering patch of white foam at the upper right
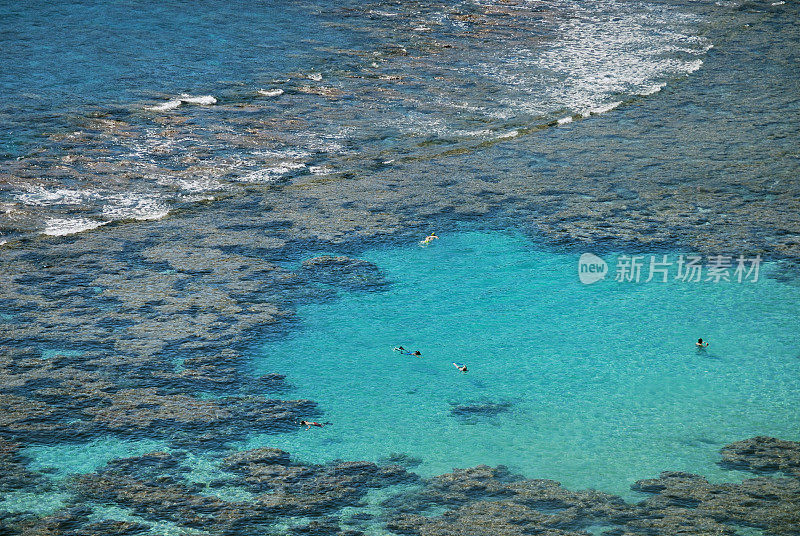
column 605, row 50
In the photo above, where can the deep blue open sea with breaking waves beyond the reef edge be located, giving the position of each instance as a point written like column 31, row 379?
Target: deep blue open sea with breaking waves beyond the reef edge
column 120, row 113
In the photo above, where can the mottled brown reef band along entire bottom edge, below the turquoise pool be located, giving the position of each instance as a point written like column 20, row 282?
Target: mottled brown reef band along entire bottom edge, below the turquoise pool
column 157, row 488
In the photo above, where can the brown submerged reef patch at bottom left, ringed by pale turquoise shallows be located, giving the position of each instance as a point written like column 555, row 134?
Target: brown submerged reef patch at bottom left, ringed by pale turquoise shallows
column 155, row 486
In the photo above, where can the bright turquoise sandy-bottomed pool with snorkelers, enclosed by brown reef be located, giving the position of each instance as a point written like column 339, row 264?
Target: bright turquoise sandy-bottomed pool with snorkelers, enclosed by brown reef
column 602, row 384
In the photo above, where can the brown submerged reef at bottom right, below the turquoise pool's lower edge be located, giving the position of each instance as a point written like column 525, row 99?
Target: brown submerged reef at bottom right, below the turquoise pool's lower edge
column 486, row 500
